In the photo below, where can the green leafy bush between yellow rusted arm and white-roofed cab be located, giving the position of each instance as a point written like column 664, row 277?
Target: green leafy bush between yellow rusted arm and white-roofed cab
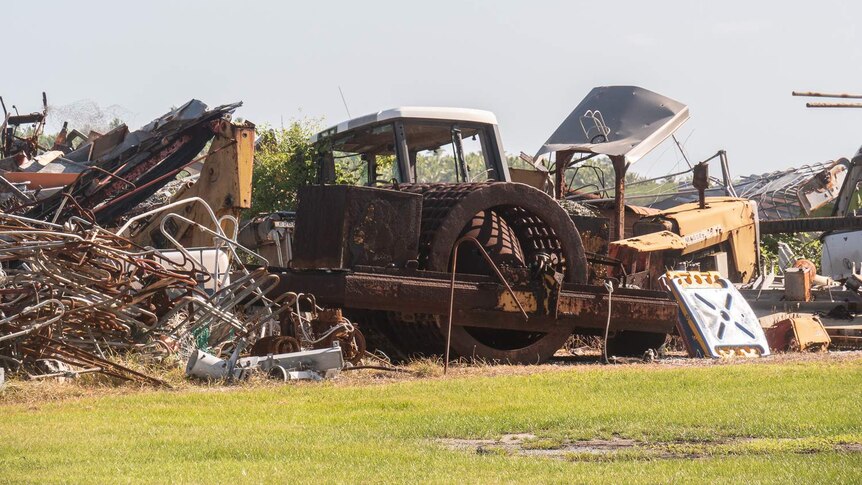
column 284, row 161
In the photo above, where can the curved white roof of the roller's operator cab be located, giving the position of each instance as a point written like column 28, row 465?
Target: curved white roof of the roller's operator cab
column 412, row 112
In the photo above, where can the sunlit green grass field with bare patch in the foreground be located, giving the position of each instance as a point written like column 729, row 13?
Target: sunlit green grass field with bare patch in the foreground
column 783, row 421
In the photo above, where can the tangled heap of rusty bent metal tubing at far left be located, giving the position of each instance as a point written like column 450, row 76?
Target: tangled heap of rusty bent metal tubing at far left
column 74, row 295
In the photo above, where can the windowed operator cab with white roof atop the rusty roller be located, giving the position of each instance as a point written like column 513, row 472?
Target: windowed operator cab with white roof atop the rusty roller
column 412, row 145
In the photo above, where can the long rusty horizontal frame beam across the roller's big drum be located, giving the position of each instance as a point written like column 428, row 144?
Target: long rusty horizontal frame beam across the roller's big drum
column 484, row 303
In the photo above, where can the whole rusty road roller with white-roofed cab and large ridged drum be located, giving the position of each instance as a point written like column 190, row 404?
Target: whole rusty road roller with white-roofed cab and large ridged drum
column 397, row 191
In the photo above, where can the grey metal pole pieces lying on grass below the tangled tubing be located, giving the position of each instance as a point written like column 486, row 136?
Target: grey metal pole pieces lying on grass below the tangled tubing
column 326, row 362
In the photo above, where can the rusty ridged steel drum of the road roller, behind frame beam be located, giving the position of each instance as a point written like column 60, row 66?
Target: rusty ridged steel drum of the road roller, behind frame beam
column 517, row 225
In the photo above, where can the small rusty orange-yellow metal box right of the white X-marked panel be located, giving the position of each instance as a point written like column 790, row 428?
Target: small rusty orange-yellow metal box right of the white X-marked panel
column 795, row 333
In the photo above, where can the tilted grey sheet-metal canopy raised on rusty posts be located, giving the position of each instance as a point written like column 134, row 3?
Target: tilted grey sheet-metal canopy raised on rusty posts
column 623, row 121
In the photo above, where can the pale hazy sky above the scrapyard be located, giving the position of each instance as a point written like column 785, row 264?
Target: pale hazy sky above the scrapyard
column 734, row 63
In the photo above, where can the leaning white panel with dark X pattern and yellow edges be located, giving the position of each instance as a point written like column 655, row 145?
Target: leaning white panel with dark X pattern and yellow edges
column 717, row 322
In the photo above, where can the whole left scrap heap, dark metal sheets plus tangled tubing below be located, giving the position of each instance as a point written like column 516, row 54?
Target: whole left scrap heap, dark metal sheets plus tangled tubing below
column 75, row 295
